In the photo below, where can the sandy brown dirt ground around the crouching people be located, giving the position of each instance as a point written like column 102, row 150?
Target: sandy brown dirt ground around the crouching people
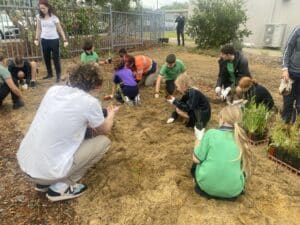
column 145, row 176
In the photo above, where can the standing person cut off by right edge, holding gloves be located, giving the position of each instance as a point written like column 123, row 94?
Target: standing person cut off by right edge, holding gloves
column 291, row 71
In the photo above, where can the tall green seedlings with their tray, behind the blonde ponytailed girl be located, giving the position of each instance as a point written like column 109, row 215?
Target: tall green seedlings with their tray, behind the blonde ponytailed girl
column 255, row 122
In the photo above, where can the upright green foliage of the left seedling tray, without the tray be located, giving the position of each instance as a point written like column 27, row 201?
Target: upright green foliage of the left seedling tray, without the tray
column 255, row 118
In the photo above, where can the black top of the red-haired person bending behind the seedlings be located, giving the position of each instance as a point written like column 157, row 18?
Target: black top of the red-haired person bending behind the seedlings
column 261, row 96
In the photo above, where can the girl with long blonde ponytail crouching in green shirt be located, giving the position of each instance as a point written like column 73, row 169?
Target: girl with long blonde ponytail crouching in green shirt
column 221, row 160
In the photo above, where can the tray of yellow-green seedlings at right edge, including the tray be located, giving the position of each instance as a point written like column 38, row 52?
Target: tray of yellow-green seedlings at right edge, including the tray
column 285, row 143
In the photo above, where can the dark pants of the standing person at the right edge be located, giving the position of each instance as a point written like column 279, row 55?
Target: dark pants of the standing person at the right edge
column 288, row 112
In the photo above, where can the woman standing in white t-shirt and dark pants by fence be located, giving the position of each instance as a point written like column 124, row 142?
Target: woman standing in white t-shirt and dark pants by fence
column 47, row 29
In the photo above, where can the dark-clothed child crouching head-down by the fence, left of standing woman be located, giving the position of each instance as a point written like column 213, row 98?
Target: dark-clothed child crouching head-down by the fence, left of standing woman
column 23, row 72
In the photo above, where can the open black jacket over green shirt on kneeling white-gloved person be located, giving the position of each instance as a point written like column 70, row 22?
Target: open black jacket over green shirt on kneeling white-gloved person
column 240, row 64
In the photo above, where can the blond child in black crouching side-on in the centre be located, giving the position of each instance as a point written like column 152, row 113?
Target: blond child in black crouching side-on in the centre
column 193, row 106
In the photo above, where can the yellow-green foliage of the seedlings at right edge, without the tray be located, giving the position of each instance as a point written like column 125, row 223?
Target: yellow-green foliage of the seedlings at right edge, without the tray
column 286, row 136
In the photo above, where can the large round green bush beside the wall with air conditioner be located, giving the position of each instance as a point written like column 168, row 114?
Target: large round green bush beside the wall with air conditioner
column 217, row 22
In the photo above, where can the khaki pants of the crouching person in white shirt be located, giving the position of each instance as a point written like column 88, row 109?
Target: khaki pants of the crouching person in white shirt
column 88, row 153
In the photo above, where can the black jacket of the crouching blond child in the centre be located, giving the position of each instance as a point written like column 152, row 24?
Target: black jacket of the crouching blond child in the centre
column 197, row 106
